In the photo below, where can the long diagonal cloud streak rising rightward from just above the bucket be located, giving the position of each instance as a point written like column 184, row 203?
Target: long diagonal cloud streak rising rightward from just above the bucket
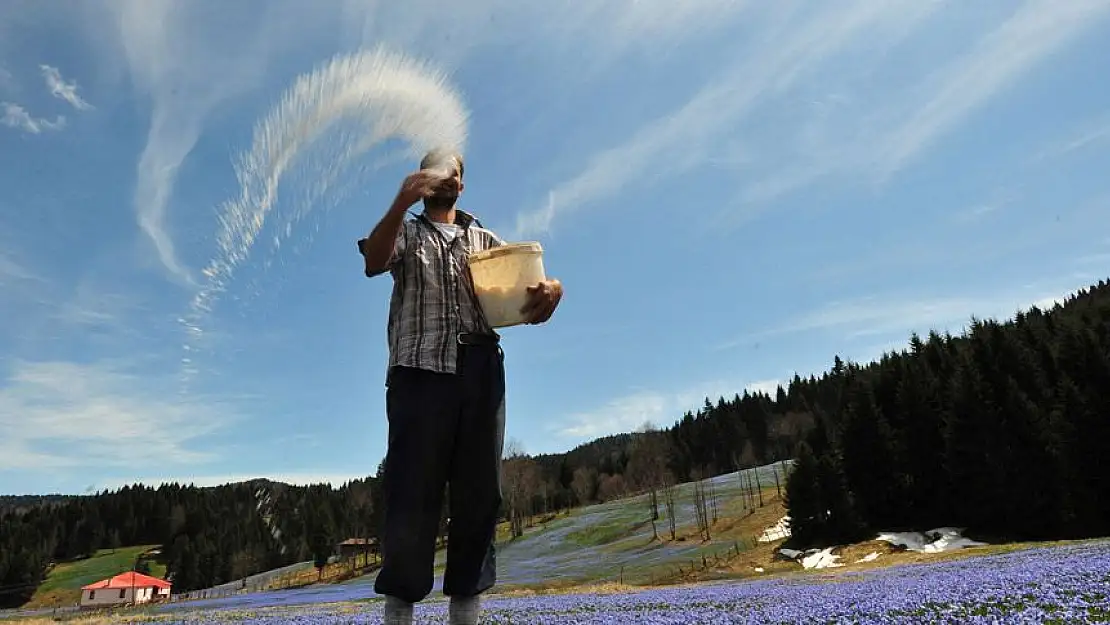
column 685, row 138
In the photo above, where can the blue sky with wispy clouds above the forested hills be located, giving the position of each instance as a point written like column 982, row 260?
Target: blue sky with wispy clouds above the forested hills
column 731, row 191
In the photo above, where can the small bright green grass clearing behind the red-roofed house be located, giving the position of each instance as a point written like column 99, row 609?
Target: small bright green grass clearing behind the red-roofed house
column 63, row 586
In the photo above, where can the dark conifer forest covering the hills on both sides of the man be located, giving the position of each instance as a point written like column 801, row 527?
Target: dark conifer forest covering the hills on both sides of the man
column 1001, row 431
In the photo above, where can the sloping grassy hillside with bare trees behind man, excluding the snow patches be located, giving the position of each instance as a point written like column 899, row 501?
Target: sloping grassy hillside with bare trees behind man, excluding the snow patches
column 609, row 545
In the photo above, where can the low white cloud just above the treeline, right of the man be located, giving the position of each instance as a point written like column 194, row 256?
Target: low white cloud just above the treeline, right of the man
column 629, row 412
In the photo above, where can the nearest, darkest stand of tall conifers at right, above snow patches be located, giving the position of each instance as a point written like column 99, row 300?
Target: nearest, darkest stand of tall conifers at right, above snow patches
column 1004, row 431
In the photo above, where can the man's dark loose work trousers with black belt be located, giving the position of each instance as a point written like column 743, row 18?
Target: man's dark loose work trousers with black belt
column 443, row 428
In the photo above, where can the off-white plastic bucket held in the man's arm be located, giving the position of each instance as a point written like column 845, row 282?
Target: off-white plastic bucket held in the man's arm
column 502, row 277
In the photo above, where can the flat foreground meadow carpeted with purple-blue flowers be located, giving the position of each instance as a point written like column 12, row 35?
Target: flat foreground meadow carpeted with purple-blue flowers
column 1051, row 584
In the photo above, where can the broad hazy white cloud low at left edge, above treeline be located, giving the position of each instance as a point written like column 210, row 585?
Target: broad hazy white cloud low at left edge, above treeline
column 68, row 415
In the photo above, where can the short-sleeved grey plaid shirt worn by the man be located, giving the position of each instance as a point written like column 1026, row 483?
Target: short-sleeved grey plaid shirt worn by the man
column 433, row 299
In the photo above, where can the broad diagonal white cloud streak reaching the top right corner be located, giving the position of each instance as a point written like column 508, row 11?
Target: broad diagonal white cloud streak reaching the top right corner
column 887, row 132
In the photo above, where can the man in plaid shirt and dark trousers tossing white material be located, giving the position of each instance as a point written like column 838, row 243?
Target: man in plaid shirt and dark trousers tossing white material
column 446, row 395
